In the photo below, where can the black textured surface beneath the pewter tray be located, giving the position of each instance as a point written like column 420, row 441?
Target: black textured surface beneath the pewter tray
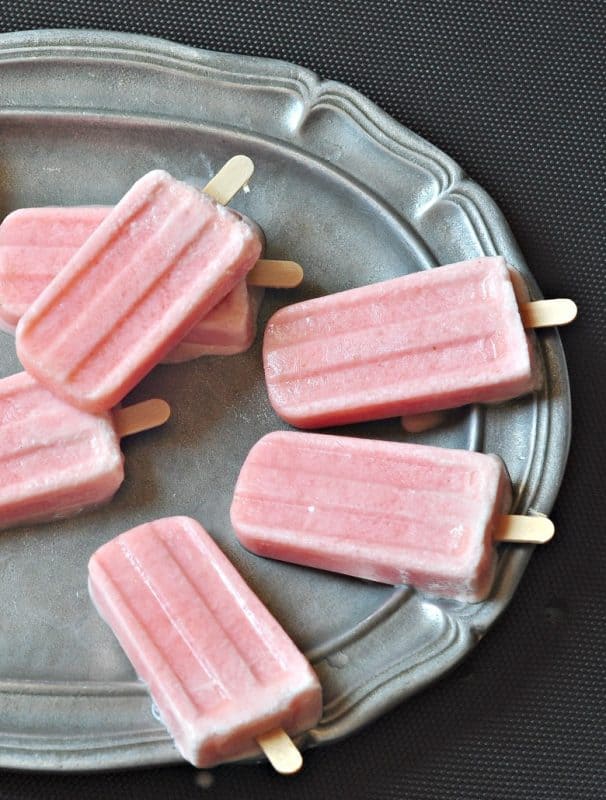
column 514, row 91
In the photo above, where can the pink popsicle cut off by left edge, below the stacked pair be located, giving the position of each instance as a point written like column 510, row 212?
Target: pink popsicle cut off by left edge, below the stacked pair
column 56, row 460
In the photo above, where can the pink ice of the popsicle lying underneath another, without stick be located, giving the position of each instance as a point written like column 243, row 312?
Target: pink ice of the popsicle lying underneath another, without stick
column 36, row 243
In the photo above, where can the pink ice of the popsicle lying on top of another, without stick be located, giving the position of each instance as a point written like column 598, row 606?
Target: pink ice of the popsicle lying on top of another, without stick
column 163, row 258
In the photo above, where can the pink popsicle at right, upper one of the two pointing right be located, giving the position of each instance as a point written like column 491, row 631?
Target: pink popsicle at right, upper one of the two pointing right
column 431, row 340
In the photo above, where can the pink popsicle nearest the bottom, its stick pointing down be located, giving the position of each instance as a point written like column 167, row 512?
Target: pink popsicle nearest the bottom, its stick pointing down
column 223, row 673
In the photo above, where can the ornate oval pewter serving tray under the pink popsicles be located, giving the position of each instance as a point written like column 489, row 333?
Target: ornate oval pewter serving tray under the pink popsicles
column 355, row 198
